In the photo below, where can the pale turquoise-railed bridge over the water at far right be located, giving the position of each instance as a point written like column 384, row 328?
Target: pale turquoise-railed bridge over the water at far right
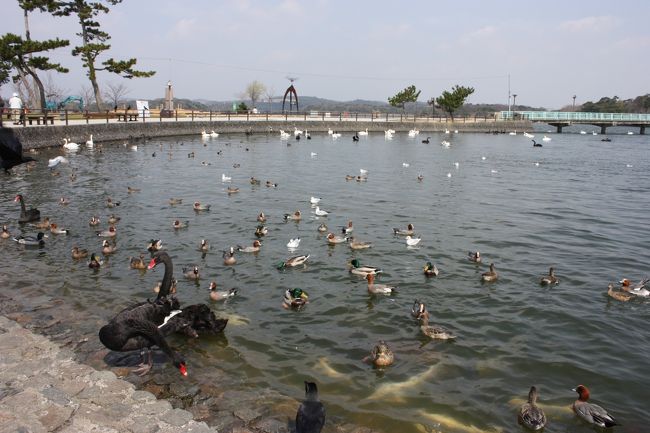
column 560, row 119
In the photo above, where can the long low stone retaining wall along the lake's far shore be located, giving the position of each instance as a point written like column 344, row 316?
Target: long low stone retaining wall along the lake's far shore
column 48, row 136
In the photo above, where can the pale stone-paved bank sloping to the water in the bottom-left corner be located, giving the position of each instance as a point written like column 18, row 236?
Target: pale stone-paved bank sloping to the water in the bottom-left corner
column 42, row 389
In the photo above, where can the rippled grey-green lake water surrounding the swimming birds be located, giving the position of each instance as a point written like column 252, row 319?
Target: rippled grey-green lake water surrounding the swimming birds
column 578, row 204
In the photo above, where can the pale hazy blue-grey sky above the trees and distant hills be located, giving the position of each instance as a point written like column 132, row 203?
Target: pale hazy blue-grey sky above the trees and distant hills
column 346, row 50
